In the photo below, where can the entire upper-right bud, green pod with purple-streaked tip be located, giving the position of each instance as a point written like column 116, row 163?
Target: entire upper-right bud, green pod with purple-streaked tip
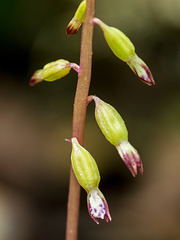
column 124, row 49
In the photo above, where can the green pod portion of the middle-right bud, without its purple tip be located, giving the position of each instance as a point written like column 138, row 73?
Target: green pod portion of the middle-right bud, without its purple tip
column 110, row 122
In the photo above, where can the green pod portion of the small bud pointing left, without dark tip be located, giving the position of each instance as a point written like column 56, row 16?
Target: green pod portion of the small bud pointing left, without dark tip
column 56, row 70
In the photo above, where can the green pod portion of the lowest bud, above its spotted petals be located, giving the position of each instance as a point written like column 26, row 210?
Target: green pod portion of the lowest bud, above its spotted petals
column 84, row 166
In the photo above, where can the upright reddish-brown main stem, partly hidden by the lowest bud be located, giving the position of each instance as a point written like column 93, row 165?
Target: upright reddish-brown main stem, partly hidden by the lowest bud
column 79, row 115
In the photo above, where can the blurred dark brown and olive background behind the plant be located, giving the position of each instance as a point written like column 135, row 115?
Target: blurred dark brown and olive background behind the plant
column 34, row 121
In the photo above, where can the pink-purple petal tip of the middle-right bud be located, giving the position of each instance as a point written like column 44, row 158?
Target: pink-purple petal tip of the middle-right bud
column 130, row 157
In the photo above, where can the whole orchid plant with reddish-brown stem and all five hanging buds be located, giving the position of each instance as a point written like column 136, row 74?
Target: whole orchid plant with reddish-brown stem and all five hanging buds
column 84, row 171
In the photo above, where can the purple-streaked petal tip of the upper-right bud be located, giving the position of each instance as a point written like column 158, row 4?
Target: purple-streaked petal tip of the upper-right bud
column 140, row 68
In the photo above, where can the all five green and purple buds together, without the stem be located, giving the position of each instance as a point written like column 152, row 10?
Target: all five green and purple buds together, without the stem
column 108, row 119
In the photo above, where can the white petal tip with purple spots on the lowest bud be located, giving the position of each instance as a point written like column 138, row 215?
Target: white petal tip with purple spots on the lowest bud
column 97, row 206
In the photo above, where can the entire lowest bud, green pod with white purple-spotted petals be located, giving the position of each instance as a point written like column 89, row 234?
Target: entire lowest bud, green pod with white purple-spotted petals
column 87, row 174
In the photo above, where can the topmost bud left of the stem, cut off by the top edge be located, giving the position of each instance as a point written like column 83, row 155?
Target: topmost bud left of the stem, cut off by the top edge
column 77, row 20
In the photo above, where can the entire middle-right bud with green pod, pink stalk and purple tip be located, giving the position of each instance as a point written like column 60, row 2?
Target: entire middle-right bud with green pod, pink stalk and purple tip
column 115, row 131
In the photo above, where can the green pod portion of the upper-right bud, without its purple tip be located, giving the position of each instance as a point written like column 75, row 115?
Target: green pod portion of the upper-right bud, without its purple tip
column 119, row 43
